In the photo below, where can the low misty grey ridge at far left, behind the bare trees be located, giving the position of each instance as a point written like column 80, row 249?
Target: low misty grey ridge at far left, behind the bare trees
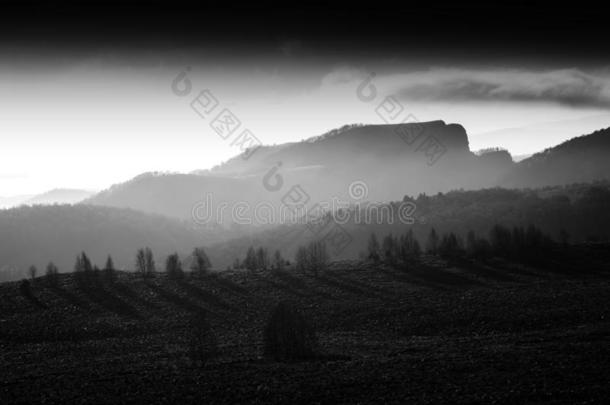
column 39, row 234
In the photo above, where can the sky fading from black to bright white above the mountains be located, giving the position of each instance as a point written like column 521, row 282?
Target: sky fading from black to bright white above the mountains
column 87, row 106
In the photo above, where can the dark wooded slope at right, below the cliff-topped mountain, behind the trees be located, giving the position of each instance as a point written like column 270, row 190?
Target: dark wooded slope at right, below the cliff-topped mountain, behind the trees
column 578, row 209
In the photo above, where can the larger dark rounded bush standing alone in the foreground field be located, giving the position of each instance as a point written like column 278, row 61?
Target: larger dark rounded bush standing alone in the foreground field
column 287, row 335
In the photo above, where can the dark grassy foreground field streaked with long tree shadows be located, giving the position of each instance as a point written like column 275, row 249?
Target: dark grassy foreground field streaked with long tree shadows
column 499, row 333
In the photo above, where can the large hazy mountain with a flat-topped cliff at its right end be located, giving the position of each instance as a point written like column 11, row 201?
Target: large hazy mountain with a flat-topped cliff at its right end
column 390, row 160
